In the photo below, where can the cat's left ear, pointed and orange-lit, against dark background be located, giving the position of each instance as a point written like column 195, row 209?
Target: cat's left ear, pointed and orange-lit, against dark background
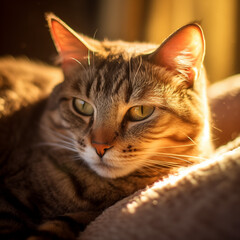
column 70, row 45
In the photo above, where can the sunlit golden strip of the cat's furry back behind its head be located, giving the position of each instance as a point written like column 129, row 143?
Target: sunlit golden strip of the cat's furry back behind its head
column 23, row 82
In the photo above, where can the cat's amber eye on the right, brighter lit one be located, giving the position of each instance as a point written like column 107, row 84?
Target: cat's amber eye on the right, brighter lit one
column 139, row 113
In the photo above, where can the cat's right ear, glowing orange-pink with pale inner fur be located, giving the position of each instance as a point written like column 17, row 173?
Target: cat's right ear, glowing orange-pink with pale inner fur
column 182, row 52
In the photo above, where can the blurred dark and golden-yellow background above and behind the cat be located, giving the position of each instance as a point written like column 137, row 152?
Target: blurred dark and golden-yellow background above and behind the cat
column 24, row 29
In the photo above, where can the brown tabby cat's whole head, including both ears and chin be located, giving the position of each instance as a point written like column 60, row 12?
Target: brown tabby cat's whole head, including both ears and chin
column 129, row 106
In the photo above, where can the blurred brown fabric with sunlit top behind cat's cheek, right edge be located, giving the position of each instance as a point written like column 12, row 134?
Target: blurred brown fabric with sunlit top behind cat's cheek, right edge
column 224, row 100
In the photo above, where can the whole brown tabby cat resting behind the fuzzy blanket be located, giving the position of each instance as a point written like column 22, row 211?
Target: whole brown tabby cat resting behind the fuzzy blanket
column 121, row 116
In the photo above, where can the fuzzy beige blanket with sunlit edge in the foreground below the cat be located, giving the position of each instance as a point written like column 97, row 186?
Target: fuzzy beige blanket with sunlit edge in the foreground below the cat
column 201, row 202
